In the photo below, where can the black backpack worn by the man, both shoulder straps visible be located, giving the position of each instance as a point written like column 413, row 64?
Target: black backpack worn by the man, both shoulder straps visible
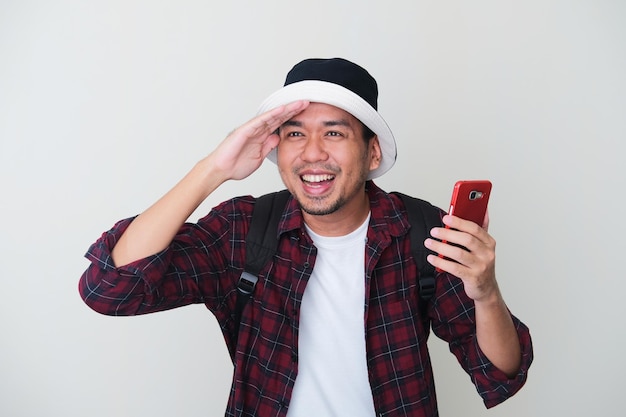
column 262, row 241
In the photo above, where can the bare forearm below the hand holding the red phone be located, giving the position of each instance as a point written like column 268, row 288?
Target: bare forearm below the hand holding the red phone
column 497, row 336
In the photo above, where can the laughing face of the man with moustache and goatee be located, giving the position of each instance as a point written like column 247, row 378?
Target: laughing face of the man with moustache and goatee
column 324, row 160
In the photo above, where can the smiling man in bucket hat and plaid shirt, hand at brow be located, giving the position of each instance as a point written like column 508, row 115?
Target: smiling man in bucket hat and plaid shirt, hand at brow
column 336, row 325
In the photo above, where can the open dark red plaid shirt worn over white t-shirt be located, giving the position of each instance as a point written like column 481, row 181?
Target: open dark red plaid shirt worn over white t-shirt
column 203, row 265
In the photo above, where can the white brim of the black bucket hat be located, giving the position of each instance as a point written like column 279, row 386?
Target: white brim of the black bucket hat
column 338, row 96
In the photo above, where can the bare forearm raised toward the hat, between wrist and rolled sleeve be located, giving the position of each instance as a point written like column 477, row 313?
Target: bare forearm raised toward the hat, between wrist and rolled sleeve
column 153, row 230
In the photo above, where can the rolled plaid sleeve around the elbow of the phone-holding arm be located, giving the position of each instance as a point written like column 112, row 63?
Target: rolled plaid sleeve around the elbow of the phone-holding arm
column 453, row 321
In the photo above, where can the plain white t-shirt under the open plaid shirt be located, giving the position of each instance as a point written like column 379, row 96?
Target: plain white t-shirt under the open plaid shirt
column 332, row 366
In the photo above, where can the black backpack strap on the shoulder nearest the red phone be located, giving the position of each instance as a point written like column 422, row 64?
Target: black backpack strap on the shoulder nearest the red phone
column 423, row 216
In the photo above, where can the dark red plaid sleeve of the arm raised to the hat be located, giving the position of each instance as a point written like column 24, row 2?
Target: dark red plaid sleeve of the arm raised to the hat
column 195, row 268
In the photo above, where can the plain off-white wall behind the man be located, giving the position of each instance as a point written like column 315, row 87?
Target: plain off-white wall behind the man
column 104, row 105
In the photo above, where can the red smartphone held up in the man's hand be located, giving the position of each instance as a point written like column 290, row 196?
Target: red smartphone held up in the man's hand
column 469, row 201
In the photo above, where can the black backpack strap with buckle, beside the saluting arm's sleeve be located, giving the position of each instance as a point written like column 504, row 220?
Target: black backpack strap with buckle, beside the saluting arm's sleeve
column 261, row 244
